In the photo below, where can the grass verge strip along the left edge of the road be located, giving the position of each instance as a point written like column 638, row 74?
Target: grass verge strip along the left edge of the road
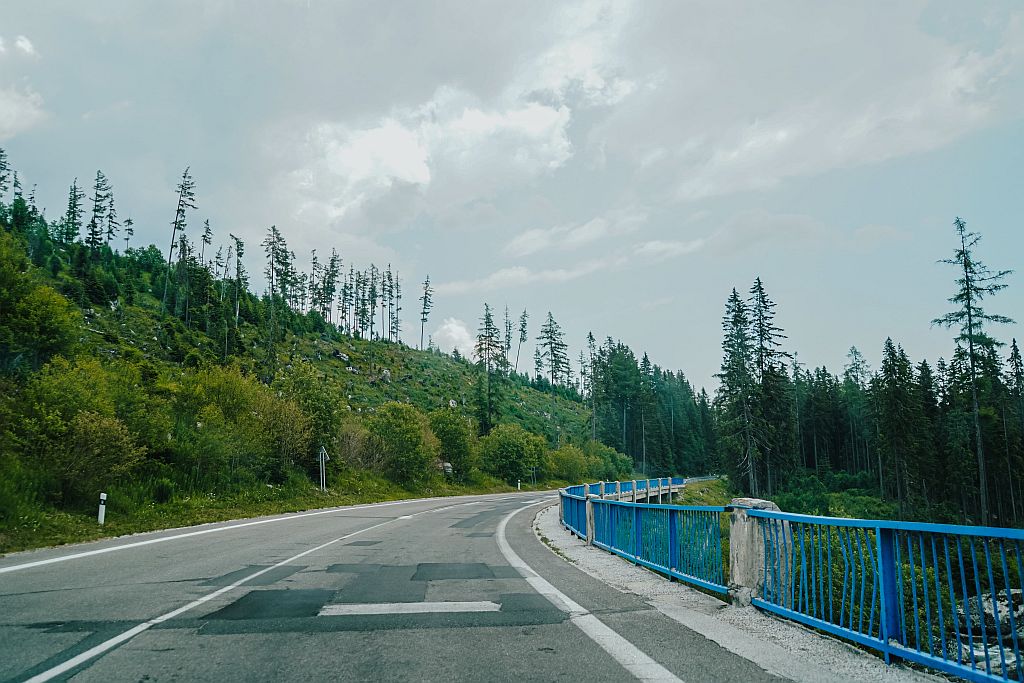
column 56, row 528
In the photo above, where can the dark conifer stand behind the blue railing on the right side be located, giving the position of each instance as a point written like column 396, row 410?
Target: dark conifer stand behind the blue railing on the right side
column 941, row 443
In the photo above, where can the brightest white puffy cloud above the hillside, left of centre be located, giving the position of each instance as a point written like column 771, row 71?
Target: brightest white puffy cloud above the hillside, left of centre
column 452, row 149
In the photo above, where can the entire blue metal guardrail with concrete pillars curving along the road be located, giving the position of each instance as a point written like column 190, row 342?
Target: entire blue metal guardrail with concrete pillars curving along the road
column 942, row 595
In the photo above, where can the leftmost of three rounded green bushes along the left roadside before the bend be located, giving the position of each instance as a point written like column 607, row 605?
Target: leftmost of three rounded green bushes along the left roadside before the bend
column 408, row 448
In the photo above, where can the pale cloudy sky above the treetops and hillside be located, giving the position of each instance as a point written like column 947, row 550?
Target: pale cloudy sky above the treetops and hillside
column 623, row 165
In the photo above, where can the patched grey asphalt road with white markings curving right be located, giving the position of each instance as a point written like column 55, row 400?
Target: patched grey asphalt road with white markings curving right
column 446, row 589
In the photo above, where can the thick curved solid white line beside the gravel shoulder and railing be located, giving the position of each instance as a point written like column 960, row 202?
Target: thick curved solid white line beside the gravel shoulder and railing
column 629, row 656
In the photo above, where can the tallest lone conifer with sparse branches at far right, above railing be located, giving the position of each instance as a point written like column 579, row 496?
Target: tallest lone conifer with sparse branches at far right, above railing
column 973, row 285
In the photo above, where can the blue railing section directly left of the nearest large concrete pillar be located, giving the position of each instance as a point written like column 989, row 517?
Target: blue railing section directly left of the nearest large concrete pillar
column 684, row 542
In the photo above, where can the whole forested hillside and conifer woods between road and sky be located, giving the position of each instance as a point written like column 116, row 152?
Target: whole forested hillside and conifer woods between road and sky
column 158, row 373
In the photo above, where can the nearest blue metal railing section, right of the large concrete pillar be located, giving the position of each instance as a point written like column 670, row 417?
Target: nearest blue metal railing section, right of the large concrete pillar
column 950, row 597
